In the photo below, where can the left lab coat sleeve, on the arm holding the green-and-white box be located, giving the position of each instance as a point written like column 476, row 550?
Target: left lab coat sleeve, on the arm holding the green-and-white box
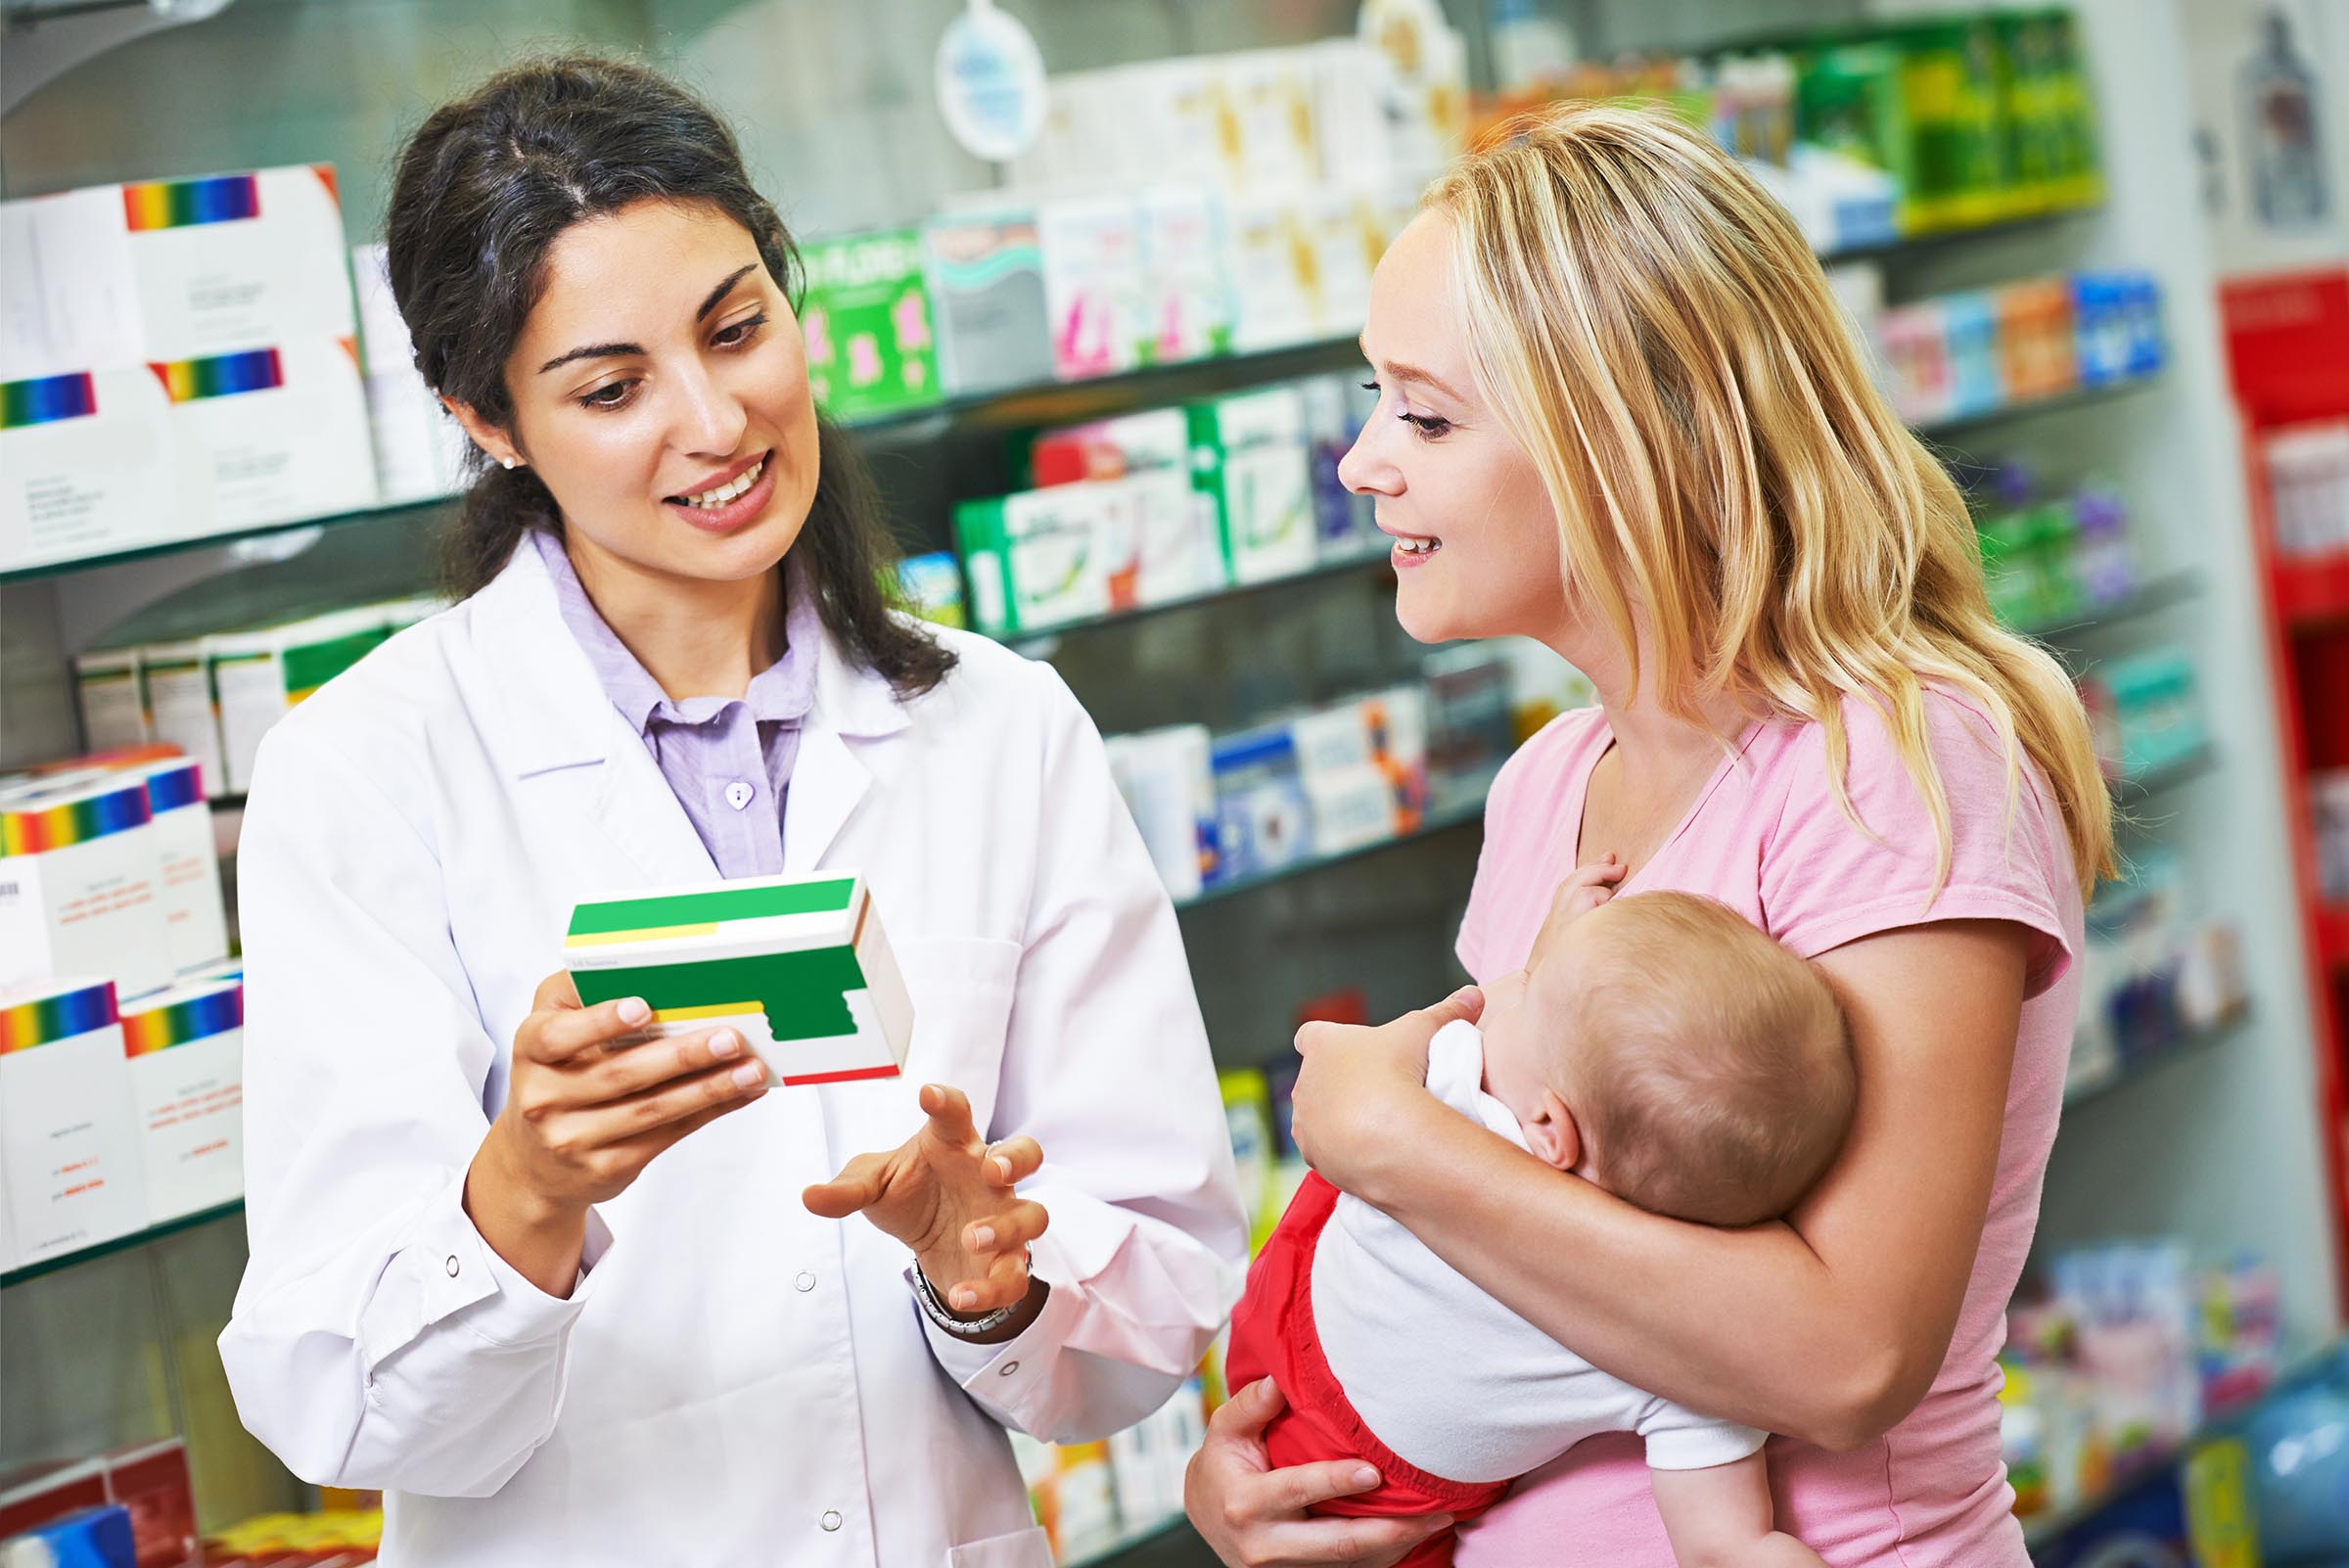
column 377, row 1341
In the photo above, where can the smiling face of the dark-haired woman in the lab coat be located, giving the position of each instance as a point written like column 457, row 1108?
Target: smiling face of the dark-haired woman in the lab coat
column 661, row 393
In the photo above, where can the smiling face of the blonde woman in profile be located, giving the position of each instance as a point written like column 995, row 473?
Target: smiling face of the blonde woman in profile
column 1476, row 539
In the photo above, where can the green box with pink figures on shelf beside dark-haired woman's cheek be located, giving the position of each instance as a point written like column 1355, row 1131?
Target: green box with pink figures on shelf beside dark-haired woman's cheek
column 873, row 346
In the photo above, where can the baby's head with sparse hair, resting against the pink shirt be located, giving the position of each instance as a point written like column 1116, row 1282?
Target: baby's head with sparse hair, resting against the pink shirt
column 1674, row 1055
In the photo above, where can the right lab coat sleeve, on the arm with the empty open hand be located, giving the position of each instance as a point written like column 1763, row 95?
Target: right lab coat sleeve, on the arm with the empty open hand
column 1108, row 1069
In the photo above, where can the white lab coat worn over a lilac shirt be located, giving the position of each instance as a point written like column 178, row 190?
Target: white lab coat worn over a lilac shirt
column 734, row 1381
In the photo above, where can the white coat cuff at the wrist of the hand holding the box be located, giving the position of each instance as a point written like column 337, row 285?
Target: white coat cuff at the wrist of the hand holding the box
column 450, row 1273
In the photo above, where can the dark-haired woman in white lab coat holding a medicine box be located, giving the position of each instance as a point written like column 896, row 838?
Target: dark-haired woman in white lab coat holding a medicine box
column 570, row 1304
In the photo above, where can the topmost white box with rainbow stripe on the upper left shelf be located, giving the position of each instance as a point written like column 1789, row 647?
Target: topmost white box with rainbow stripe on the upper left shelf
column 168, row 271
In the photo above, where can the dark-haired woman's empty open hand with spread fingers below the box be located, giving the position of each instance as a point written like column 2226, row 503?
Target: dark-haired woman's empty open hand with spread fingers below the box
column 950, row 1198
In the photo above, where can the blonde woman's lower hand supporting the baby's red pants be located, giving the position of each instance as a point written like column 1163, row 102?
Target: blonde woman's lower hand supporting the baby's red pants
column 1258, row 1518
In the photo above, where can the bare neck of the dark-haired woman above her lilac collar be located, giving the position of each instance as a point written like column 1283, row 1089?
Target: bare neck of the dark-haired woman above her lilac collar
column 694, row 637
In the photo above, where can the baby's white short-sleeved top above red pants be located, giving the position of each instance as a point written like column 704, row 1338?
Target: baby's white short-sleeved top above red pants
column 1448, row 1377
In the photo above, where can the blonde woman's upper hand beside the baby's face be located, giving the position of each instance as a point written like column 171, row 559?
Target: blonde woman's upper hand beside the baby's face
column 1359, row 1088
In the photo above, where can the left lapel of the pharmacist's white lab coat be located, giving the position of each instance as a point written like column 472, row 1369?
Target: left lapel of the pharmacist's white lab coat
column 565, row 745
